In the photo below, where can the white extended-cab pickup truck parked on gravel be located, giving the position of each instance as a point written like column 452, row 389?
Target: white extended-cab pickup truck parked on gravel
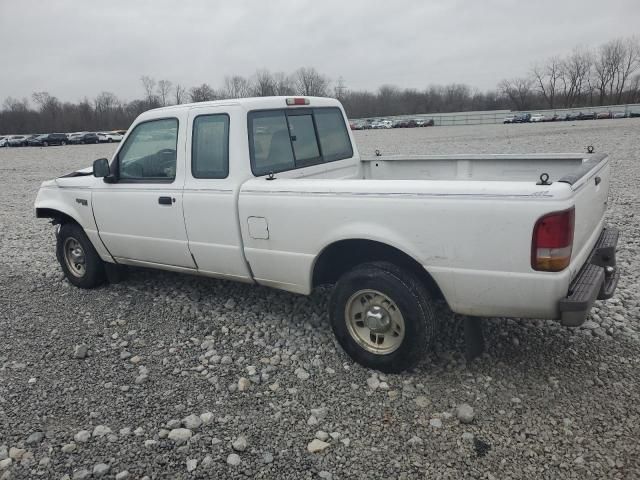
column 272, row 191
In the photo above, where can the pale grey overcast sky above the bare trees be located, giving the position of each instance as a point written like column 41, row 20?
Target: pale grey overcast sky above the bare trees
column 79, row 48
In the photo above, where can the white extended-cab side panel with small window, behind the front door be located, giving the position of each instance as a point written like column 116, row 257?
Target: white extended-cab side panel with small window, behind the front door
column 211, row 191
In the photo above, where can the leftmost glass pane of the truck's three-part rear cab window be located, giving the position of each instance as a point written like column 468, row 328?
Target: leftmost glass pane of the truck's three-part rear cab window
column 269, row 142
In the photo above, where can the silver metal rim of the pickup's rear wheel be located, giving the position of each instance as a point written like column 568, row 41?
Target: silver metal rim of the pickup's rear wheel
column 374, row 321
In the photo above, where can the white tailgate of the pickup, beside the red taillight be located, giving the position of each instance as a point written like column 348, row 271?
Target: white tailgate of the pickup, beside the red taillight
column 590, row 184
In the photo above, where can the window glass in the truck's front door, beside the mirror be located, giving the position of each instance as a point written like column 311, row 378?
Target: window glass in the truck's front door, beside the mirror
column 150, row 152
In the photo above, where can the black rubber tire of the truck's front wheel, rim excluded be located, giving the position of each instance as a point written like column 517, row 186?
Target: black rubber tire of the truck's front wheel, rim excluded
column 94, row 274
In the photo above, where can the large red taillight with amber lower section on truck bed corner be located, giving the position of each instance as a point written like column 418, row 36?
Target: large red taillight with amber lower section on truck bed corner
column 552, row 241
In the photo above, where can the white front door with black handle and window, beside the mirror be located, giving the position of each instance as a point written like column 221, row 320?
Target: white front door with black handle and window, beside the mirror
column 139, row 216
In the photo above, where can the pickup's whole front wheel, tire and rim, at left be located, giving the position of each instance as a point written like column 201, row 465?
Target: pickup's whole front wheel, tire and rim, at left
column 80, row 262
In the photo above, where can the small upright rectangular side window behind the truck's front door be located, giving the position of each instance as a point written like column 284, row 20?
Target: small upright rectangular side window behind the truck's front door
column 210, row 146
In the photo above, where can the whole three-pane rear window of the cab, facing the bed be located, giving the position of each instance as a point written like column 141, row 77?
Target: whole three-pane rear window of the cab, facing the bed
column 287, row 139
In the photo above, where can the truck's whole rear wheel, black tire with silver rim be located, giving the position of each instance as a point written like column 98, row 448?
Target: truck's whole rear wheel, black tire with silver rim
column 382, row 316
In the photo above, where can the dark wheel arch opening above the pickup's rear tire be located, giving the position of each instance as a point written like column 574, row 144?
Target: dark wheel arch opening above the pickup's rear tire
column 342, row 255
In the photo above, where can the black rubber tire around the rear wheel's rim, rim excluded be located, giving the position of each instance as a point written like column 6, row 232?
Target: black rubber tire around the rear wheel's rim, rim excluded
column 413, row 301
